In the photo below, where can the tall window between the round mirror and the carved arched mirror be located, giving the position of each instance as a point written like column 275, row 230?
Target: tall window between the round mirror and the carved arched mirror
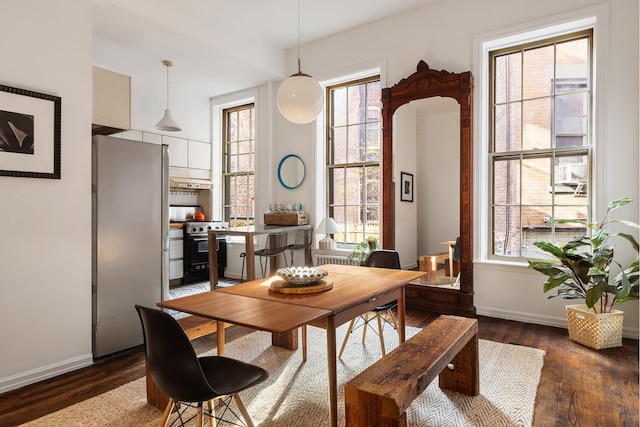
column 353, row 159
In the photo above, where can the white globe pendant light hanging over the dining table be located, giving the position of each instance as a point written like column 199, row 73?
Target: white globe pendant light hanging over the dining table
column 300, row 97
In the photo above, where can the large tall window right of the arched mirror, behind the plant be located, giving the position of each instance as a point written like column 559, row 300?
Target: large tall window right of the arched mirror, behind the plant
column 540, row 142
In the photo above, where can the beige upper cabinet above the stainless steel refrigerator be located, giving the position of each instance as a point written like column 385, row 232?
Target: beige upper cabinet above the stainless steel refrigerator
column 111, row 102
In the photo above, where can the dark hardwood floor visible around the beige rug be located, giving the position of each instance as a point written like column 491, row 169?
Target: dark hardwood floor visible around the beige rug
column 578, row 387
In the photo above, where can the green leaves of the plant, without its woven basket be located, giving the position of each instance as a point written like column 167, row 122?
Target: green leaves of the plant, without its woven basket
column 582, row 266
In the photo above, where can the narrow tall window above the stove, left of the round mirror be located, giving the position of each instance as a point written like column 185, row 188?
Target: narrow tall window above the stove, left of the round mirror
column 239, row 164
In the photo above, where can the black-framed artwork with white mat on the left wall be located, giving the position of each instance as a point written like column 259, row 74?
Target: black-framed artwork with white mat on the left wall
column 29, row 133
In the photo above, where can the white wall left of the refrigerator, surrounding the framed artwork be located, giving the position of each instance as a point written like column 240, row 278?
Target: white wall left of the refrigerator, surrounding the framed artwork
column 45, row 224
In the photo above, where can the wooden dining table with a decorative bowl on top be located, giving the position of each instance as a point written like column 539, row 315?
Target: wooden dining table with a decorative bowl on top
column 355, row 291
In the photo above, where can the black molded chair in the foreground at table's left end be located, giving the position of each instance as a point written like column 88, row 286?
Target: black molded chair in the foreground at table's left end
column 189, row 380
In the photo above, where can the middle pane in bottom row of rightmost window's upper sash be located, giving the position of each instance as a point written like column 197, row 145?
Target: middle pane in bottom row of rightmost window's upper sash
column 536, row 131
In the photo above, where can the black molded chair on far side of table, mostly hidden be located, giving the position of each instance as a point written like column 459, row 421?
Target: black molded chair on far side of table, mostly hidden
column 381, row 258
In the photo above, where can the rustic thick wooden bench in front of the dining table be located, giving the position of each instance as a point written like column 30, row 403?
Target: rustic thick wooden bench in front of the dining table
column 381, row 394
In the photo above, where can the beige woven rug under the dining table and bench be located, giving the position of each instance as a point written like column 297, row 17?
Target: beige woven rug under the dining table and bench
column 296, row 393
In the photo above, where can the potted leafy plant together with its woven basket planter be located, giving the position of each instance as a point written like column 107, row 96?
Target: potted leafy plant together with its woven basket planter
column 582, row 270
